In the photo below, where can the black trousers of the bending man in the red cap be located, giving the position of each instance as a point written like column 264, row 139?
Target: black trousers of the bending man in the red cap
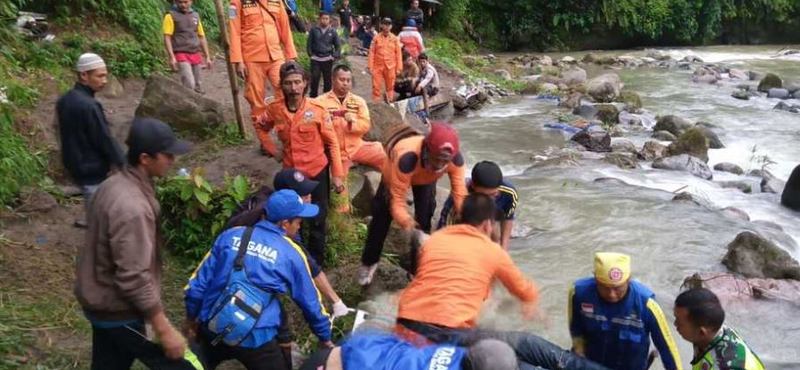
column 424, row 206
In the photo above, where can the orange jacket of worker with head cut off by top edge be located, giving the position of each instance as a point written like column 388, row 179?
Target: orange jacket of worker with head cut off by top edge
column 260, row 31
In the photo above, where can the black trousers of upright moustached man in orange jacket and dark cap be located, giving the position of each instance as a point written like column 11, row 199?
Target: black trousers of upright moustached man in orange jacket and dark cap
column 318, row 226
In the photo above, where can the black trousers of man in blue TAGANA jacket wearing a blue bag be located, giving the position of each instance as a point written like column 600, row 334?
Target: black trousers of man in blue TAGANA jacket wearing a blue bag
column 266, row 357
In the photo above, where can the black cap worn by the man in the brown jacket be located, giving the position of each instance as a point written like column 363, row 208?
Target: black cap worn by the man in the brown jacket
column 151, row 136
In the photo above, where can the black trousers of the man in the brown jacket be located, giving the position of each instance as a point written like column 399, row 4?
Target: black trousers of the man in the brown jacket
column 117, row 348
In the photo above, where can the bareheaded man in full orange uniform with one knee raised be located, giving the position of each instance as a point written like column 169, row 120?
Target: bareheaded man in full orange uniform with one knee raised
column 351, row 119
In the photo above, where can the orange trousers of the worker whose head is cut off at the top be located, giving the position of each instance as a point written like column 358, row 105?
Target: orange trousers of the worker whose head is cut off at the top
column 257, row 75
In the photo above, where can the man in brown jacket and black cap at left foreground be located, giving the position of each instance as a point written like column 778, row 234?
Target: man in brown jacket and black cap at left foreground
column 118, row 273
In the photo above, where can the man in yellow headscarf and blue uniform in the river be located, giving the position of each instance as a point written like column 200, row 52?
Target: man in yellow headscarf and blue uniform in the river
column 612, row 318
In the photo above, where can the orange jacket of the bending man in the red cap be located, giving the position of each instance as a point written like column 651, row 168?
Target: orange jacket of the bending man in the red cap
column 403, row 168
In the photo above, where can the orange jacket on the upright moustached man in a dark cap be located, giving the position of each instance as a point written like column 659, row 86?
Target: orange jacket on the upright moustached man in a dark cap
column 305, row 135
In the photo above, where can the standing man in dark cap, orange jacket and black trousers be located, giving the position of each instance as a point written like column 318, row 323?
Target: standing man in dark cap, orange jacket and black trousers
column 306, row 130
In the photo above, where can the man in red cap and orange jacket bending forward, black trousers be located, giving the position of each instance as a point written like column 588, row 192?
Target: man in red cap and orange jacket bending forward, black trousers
column 417, row 162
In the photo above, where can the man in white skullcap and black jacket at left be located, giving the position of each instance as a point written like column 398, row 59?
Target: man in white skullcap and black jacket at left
column 87, row 149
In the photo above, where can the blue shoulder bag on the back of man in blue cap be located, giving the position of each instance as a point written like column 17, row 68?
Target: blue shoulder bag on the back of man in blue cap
column 240, row 305
